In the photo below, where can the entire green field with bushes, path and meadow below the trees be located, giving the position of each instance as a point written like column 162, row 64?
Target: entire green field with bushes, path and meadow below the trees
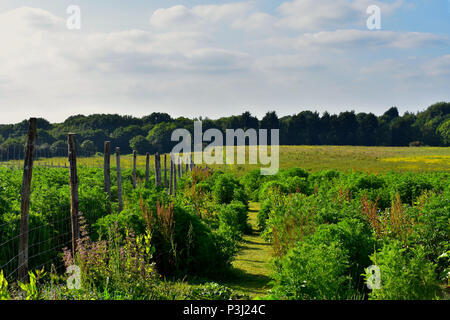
column 308, row 233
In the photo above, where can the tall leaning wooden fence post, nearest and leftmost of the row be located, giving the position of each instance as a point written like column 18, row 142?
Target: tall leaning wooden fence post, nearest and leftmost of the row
column 25, row 201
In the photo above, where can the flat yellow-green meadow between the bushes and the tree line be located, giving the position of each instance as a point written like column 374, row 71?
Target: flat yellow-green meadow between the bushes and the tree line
column 314, row 158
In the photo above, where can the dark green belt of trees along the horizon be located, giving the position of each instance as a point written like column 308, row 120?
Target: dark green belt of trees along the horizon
column 152, row 133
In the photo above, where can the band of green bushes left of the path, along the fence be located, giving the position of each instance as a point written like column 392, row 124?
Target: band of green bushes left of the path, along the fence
column 185, row 242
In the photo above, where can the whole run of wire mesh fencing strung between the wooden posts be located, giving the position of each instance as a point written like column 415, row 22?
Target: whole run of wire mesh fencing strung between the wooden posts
column 50, row 216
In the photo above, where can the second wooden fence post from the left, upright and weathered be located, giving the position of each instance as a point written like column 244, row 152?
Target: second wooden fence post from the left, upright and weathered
column 71, row 142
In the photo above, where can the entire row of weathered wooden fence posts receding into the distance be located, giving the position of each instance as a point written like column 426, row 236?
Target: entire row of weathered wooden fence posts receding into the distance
column 176, row 168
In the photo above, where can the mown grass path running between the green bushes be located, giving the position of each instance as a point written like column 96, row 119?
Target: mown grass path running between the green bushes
column 251, row 265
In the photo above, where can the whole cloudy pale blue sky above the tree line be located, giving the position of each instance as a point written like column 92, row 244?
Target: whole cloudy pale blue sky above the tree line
column 221, row 58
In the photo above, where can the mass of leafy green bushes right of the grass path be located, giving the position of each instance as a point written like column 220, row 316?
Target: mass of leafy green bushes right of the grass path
column 327, row 228
